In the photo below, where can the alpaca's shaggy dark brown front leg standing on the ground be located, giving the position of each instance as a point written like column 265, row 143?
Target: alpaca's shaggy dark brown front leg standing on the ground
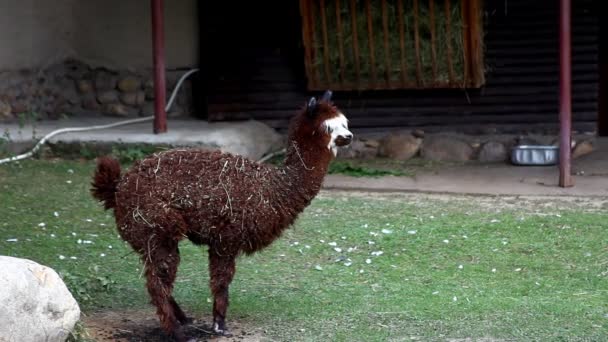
column 221, row 269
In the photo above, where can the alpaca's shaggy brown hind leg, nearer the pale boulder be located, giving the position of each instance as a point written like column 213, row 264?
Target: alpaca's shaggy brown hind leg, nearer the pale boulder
column 161, row 268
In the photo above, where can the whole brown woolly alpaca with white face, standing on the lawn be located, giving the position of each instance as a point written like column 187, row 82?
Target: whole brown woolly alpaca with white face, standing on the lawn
column 232, row 204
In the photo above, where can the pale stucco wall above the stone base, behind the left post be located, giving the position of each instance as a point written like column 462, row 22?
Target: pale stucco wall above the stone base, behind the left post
column 111, row 33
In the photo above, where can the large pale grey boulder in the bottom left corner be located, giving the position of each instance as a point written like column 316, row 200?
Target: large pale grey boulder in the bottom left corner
column 36, row 304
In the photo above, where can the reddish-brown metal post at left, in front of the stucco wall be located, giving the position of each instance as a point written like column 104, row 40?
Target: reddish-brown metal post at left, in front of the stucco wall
column 158, row 46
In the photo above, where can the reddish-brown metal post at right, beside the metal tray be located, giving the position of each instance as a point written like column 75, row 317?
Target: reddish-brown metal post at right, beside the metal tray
column 565, row 94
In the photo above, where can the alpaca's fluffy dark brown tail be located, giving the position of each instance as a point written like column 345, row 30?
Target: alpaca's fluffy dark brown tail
column 105, row 181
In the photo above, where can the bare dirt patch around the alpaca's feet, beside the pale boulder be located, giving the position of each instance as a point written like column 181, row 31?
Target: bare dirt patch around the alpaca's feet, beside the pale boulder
column 143, row 325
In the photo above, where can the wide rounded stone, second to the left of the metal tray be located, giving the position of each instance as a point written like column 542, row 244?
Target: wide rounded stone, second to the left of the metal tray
column 445, row 148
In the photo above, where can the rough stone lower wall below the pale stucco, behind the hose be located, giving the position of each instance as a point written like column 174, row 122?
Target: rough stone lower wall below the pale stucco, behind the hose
column 74, row 88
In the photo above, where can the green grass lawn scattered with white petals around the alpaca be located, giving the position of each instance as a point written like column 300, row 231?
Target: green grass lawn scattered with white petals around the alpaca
column 355, row 267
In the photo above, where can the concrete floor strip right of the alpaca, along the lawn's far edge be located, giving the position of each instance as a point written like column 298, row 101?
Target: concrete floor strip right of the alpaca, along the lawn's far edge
column 590, row 177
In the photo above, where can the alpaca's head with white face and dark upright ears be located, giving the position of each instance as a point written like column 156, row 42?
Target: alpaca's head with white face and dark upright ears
column 322, row 124
